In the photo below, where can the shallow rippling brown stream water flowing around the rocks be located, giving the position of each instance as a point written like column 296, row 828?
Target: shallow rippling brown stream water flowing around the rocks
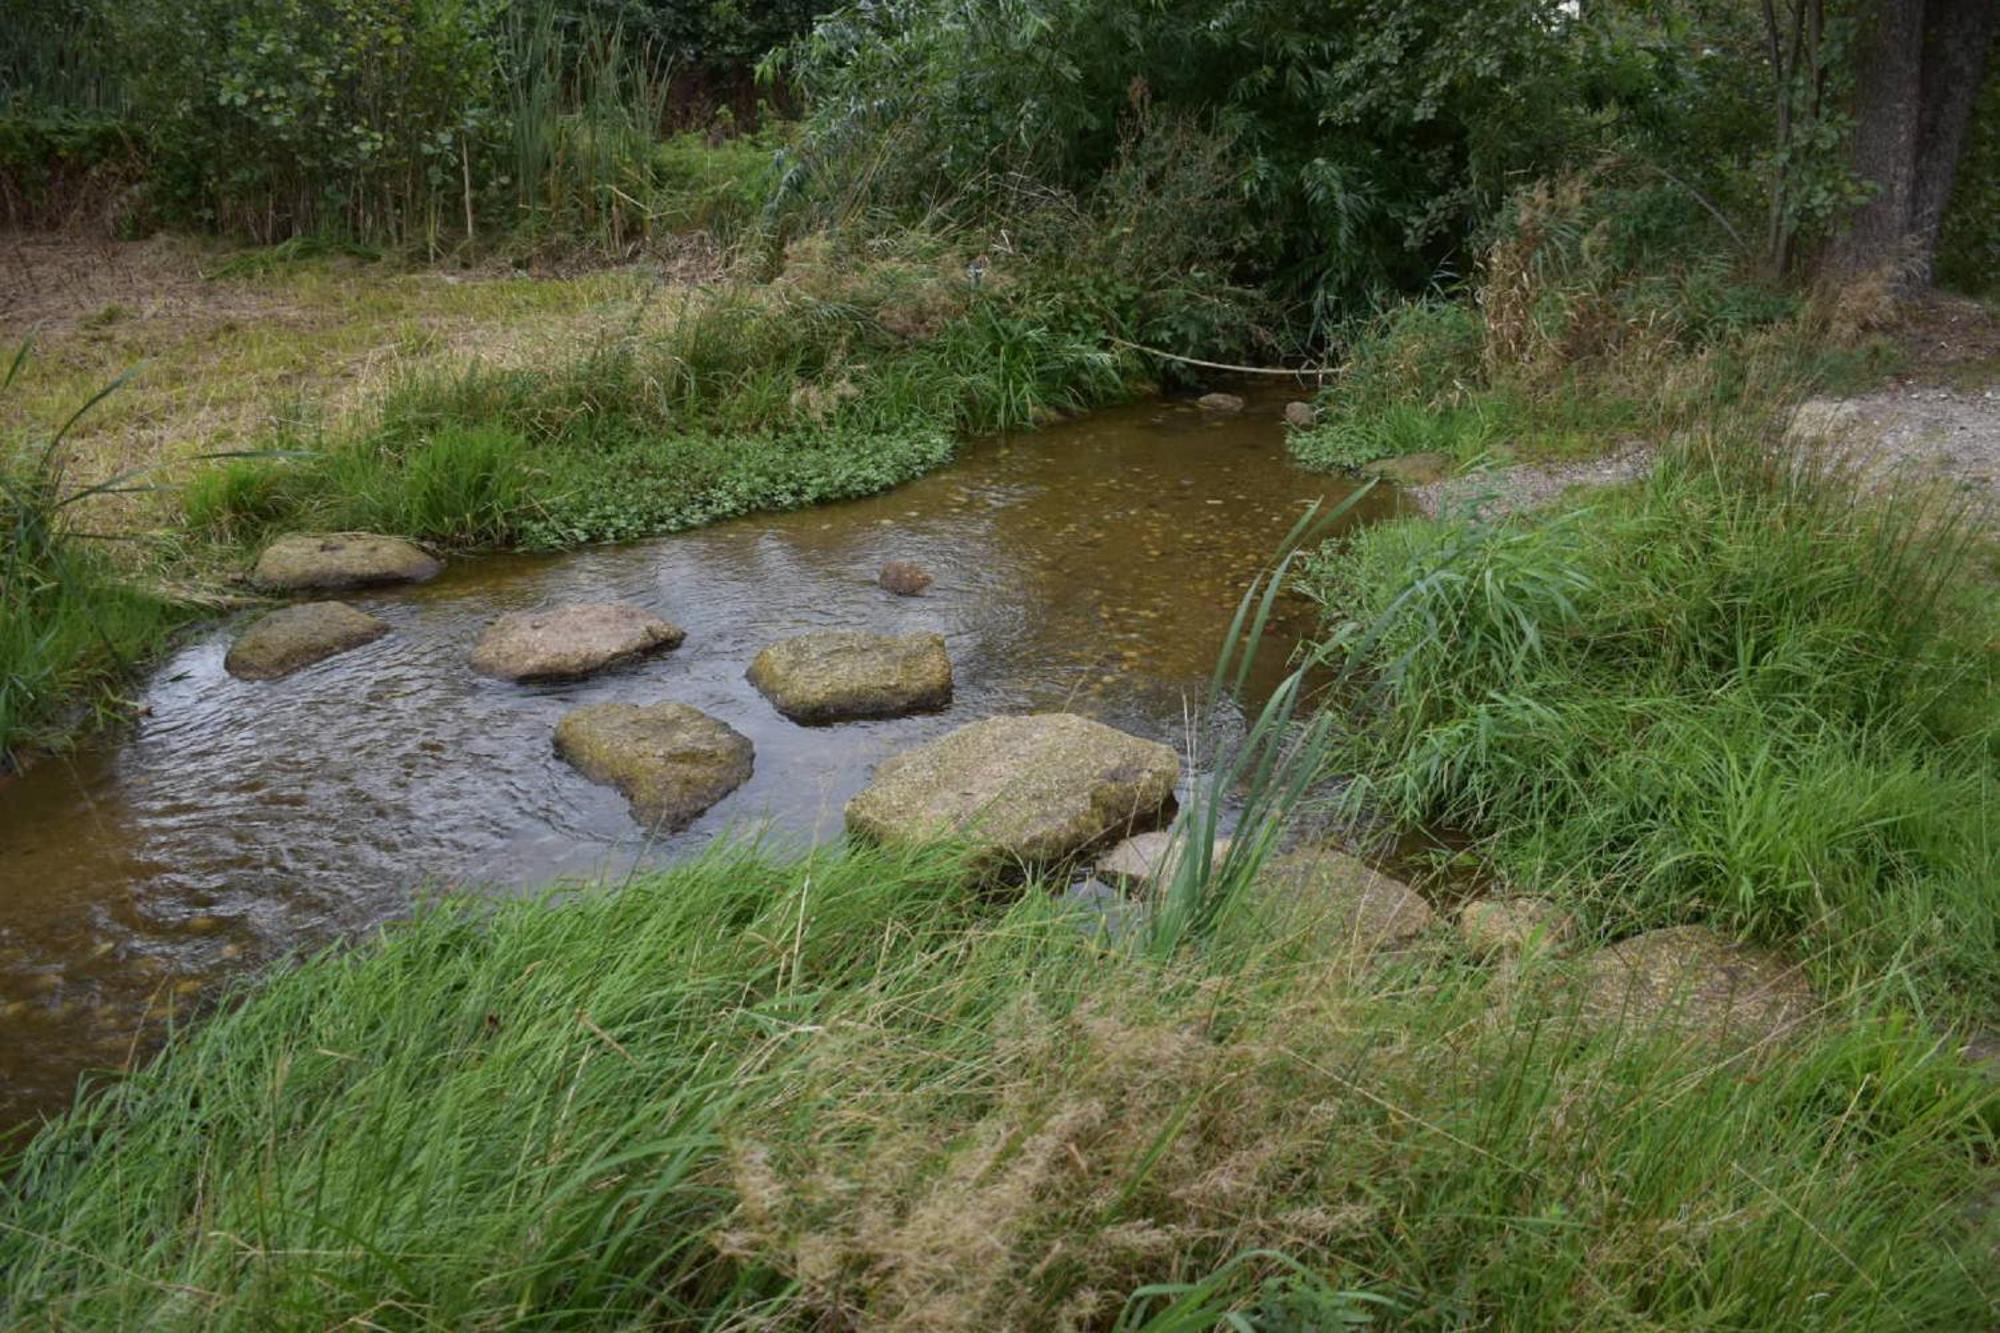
column 1089, row 567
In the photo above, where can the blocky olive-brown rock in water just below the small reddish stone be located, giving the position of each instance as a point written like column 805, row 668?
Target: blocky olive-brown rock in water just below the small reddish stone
column 847, row 676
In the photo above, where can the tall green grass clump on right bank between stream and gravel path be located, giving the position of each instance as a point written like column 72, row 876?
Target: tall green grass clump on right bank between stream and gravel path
column 1755, row 690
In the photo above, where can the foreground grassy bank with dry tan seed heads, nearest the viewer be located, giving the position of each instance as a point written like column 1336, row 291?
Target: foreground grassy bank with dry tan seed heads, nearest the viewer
column 853, row 1092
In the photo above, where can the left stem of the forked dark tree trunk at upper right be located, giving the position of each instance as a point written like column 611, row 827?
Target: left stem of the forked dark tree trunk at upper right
column 1889, row 61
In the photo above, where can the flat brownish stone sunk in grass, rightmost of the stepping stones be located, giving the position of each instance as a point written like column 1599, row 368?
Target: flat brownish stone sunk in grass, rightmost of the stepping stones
column 1697, row 982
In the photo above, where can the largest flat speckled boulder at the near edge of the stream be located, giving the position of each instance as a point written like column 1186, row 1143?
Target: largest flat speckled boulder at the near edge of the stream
column 1021, row 790
